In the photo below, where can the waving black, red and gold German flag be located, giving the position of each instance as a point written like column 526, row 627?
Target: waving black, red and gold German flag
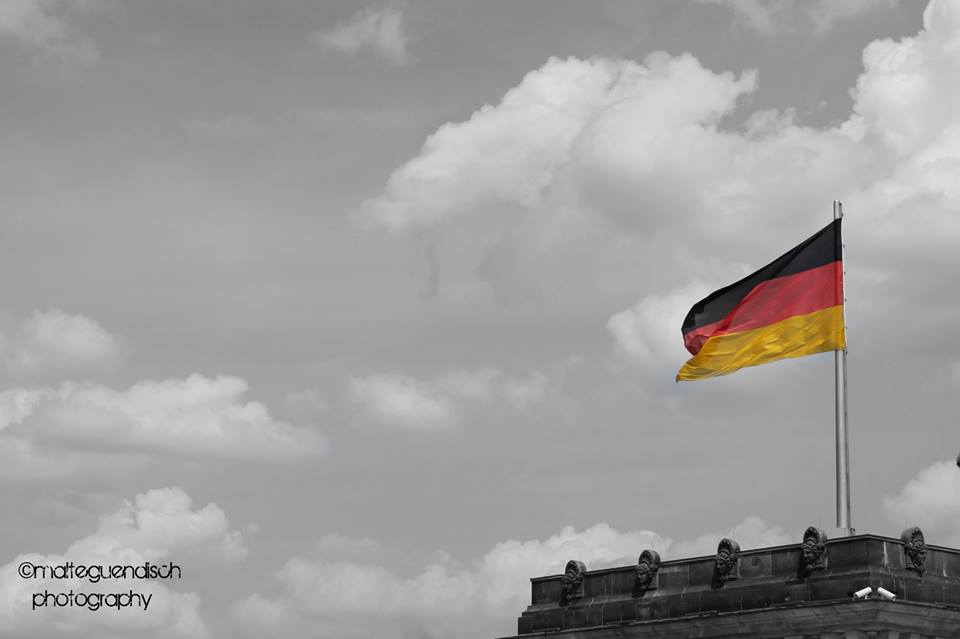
column 790, row 308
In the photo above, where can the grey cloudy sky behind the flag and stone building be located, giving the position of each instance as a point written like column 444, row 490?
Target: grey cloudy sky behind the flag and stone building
column 363, row 314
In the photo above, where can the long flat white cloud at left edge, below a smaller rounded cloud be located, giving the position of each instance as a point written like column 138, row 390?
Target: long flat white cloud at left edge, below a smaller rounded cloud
column 193, row 417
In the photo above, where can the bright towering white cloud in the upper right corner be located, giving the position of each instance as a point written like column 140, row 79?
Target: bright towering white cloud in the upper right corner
column 906, row 112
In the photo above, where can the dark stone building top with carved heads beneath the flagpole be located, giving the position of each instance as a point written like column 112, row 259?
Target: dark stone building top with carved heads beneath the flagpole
column 854, row 587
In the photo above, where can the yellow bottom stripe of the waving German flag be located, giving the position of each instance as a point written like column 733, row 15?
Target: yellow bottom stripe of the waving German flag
column 793, row 337
